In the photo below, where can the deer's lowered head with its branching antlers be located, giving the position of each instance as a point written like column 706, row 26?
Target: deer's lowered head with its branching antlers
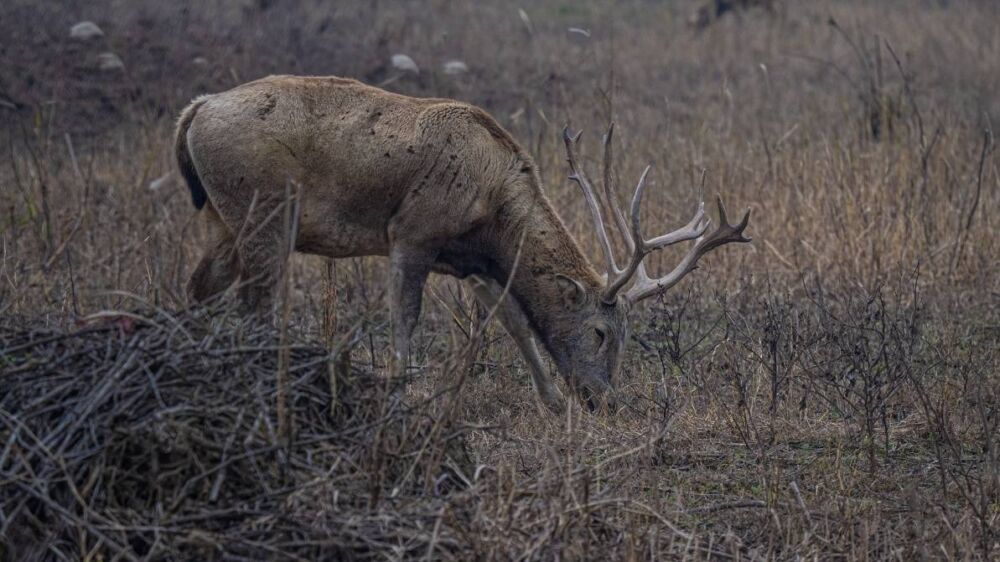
column 598, row 330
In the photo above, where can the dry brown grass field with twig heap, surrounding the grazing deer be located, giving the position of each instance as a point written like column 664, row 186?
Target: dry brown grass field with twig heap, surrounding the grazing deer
column 830, row 391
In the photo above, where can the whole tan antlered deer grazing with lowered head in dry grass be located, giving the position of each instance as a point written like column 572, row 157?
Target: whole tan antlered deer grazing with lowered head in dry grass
column 435, row 185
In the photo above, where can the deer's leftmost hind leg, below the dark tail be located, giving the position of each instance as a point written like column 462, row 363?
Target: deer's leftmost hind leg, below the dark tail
column 219, row 266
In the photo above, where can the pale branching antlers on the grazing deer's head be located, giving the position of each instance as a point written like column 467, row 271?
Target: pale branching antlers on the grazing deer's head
column 637, row 246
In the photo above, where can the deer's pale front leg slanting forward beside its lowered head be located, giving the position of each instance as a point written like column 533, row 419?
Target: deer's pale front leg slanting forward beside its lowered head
column 509, row 312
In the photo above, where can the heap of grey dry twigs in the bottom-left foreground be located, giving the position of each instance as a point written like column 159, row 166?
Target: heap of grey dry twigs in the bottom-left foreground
column 161, row 436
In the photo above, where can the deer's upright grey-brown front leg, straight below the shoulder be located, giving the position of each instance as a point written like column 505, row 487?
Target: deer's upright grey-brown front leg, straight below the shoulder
column 408, row 269
